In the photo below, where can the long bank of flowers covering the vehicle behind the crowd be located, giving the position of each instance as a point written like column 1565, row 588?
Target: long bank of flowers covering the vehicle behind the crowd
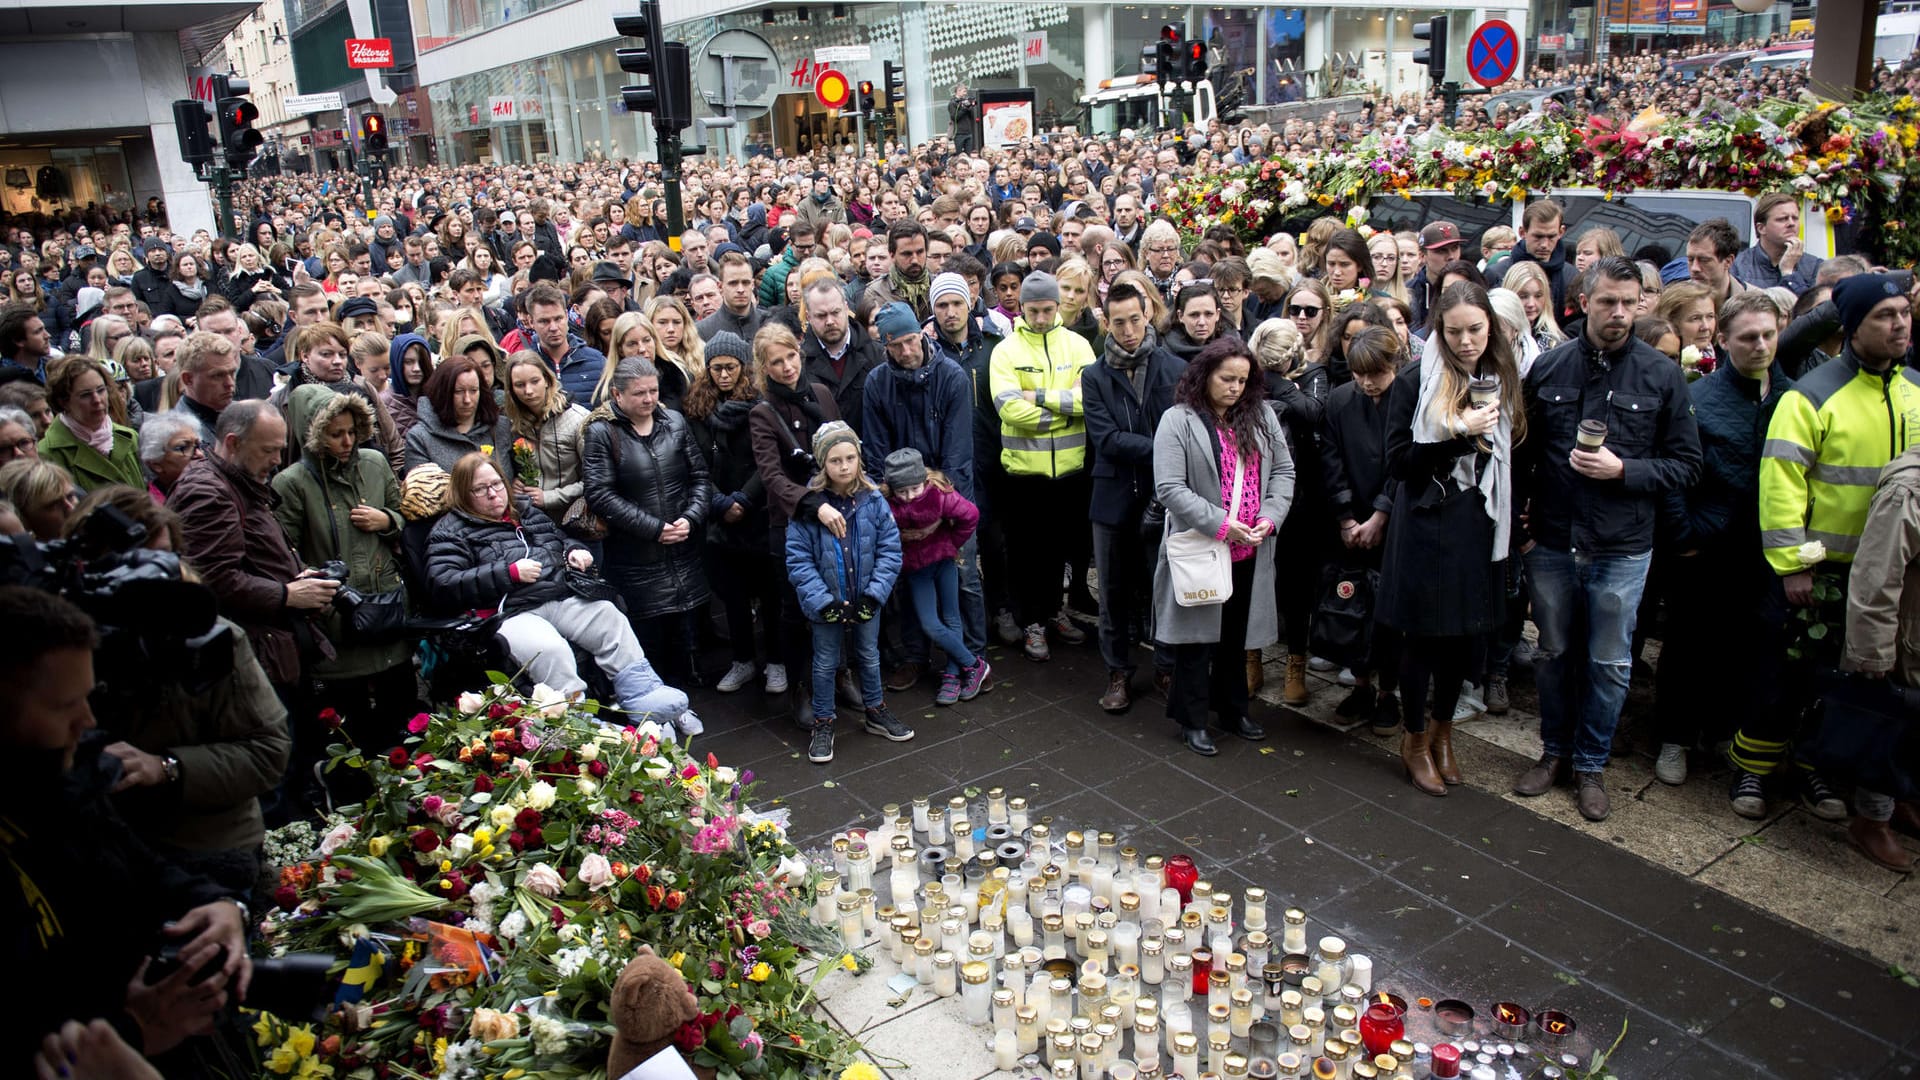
column 1856, row 162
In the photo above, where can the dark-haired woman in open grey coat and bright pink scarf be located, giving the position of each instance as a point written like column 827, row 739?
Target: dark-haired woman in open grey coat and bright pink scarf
column 1218, row 424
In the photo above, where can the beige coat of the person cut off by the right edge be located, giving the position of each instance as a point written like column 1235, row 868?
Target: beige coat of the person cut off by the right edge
column 1884, row 587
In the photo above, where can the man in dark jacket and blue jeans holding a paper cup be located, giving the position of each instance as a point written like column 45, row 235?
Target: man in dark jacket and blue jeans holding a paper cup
column 1610, row 435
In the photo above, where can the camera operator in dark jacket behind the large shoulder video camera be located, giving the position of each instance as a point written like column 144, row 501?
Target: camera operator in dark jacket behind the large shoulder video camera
column 189, row 714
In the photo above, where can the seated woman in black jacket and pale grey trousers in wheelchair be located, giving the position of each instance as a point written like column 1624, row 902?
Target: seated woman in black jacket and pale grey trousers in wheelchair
column 496, row 552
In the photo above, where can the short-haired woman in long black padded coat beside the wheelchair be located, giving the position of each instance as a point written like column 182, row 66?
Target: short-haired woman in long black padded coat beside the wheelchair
column 650, row 485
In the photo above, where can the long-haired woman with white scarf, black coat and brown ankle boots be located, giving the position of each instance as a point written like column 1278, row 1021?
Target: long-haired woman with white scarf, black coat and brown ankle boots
column 1445, row 570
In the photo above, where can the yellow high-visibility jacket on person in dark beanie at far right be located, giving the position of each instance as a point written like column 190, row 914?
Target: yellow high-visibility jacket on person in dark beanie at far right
column 1829, row 441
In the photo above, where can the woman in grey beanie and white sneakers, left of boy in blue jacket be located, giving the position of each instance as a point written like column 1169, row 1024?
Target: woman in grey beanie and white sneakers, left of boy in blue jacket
column 738, row 556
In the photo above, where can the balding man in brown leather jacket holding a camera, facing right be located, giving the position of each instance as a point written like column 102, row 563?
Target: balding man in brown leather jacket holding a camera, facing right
column 237, row 545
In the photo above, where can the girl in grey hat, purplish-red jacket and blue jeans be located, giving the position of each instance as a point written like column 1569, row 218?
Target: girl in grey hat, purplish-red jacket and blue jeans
column 936, row 522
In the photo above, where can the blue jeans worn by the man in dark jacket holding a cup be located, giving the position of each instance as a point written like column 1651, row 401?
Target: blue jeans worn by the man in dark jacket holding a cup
column 1585, row 608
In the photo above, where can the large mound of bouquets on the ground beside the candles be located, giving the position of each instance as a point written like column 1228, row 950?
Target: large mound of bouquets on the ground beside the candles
column 516, row 856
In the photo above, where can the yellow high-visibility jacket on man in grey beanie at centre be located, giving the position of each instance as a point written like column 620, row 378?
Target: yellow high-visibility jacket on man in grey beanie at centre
column 1045, row 437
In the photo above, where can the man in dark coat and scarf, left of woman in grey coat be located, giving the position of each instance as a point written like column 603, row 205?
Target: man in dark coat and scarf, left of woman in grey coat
column 1126, row 397
